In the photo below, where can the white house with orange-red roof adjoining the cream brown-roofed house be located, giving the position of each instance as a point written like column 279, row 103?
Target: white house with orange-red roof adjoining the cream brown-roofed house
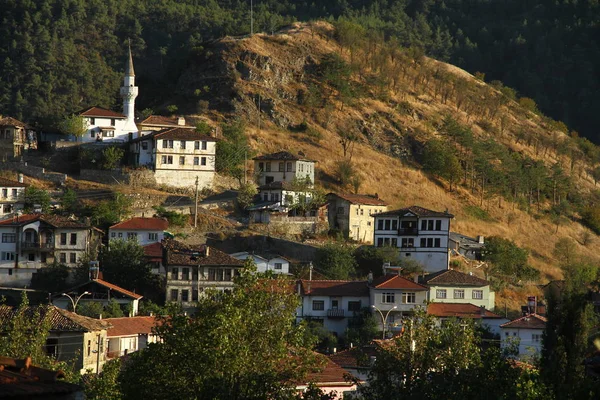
column 395, row 297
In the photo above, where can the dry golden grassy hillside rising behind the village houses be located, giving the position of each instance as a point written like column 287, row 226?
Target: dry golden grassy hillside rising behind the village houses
column 393, row 122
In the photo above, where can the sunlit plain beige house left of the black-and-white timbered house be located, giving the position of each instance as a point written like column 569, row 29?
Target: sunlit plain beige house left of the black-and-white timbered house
column 352, row 215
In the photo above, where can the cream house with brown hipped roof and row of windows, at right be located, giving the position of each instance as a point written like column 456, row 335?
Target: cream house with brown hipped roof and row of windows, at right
column 451, row 286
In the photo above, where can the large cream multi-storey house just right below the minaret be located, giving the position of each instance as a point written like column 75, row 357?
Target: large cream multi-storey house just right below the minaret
column 178, row 156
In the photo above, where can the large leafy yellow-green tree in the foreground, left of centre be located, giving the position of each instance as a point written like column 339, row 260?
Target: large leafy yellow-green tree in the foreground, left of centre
column 242, row 344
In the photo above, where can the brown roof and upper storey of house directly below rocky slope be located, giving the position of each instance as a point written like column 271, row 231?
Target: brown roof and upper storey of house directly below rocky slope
column 283, row 166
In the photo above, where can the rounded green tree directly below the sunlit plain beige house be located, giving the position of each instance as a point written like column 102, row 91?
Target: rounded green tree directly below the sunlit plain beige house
column 336, row 260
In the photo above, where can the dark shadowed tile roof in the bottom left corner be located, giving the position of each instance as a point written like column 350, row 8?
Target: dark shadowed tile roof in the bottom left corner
column 20, row 379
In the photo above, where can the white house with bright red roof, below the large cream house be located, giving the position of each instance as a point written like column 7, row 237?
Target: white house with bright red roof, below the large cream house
column 145, row 230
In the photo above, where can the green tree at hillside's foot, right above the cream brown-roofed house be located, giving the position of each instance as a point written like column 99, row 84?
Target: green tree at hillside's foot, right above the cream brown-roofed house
column 508, row 260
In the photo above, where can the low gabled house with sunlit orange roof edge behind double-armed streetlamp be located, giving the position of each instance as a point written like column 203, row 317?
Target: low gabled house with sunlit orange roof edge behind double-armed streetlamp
column 103, row 292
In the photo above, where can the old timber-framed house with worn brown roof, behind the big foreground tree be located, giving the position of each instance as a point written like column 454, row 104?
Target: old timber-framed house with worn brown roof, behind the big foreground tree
column 192, row 270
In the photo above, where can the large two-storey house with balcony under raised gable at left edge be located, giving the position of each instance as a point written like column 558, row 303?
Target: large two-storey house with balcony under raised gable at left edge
column 32, row 241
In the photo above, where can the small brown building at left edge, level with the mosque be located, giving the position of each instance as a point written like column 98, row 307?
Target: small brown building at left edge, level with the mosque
column 15, row 138
